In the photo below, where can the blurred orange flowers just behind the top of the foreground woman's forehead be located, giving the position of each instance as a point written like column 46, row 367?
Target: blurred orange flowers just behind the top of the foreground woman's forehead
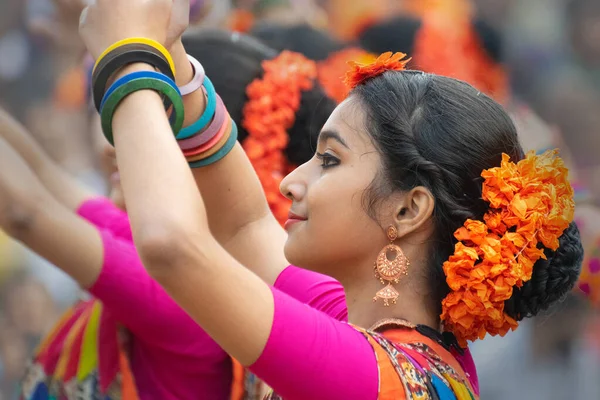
column 331, row 71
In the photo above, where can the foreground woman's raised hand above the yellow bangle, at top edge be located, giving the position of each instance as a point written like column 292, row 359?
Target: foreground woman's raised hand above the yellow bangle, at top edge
column 105, row 22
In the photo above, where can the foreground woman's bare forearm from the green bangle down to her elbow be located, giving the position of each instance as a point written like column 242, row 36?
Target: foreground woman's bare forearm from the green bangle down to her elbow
column 157, row 182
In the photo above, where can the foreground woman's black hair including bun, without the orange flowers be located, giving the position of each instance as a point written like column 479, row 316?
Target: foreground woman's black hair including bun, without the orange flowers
column 441, row 133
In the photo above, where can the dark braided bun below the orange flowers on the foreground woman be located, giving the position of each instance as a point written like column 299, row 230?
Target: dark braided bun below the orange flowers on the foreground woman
column 552, row 279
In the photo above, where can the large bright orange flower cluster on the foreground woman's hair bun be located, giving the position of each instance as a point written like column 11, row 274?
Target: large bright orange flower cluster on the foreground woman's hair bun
column 531, row 205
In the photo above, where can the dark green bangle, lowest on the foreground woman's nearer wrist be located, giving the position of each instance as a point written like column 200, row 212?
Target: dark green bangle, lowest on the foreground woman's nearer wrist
column 112, row 102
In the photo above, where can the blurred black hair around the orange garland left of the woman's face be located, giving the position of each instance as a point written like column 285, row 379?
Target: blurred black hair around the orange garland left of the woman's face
column 233, row 61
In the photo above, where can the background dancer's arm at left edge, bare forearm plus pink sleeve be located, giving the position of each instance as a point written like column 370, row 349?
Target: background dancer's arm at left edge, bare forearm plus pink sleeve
column 102, row 263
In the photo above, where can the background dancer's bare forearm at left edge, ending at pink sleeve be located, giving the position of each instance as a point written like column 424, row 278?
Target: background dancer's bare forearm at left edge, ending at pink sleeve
column 30, row 214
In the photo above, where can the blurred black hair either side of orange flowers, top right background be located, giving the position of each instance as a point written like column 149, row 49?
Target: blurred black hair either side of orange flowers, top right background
column 399, row 33
